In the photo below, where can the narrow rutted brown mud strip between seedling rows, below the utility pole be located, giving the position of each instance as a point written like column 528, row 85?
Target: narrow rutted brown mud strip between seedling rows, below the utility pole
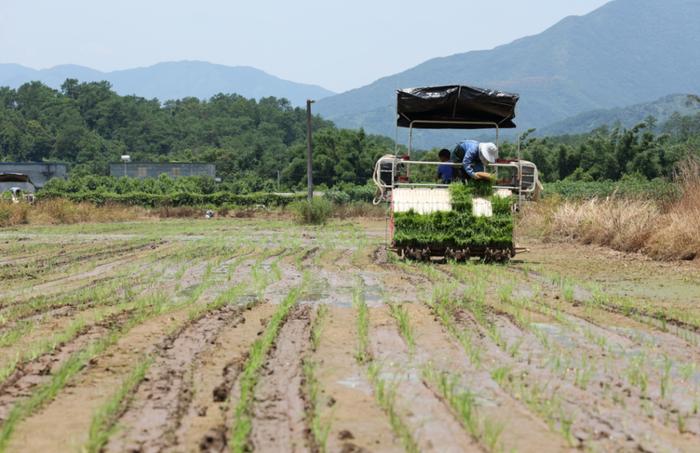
column 279, row 419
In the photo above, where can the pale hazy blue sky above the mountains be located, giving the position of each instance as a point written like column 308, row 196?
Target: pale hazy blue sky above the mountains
column 339, row 45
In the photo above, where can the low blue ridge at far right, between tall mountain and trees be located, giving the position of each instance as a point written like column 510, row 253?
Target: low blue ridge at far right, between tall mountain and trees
column 661, row 109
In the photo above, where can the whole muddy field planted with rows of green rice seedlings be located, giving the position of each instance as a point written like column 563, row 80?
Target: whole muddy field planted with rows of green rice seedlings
column 259, row 335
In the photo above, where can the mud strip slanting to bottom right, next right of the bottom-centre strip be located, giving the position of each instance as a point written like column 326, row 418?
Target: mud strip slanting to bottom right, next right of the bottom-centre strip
column 432, row 425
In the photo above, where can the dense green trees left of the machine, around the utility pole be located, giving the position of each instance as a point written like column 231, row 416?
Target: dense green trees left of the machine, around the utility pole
column 254, row 143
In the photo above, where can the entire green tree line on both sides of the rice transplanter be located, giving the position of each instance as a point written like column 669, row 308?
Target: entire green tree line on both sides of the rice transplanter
column 260, row 145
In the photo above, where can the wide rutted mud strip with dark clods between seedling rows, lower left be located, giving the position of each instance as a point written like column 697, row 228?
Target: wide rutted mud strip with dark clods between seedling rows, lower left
column 175, row 406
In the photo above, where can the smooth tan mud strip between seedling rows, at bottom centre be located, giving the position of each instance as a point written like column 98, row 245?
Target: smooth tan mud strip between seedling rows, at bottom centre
column 355, row 421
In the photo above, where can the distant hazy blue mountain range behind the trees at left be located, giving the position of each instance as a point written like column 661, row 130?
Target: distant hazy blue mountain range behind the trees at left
column 172, row 80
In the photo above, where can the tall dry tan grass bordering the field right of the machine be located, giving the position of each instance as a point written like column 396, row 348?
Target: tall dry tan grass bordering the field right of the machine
column 630, row 225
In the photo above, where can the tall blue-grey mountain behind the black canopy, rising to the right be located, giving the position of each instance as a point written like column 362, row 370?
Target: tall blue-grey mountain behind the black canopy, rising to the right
column 626, row 52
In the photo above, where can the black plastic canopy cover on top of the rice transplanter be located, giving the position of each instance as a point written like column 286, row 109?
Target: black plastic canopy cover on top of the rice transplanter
column 445, row 104
